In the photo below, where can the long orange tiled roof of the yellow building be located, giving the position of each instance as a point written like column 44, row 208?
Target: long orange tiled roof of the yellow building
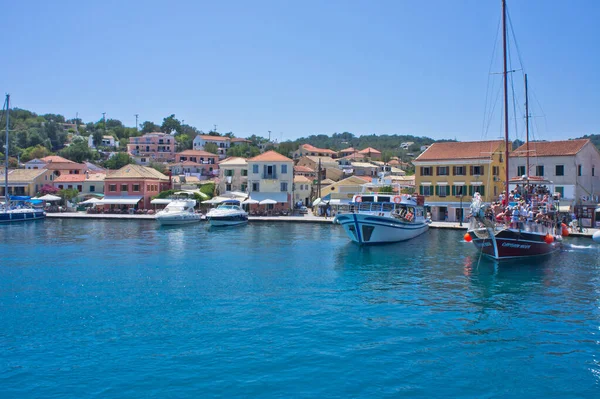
column 460, row 150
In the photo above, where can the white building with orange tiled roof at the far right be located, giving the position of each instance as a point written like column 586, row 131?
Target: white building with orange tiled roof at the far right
column 571, row 165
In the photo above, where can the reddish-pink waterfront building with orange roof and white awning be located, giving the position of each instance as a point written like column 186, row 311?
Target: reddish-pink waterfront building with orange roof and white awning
column 133, row 185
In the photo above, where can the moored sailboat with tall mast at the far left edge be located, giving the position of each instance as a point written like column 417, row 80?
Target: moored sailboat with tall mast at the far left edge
column 16, row 208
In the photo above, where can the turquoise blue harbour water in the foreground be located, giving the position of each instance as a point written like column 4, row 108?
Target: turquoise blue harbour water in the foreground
column 113, row 309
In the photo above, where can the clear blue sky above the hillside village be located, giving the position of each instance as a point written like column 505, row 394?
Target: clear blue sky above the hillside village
column 300, row 67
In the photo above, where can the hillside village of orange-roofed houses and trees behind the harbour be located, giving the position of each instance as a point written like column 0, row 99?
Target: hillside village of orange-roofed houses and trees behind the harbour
column 132, row 167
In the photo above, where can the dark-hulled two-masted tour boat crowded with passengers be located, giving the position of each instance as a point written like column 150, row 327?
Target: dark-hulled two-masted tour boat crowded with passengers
column 492, row 233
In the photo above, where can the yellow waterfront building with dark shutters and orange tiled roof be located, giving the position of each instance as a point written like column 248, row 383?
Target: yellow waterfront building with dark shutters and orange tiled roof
column 449, row 174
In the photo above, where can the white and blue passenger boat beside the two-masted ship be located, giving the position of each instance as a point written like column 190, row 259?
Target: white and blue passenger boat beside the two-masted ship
column 377, row 218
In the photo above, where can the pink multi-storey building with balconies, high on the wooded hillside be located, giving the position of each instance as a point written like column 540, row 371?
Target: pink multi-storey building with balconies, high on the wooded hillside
column 152, row 147
